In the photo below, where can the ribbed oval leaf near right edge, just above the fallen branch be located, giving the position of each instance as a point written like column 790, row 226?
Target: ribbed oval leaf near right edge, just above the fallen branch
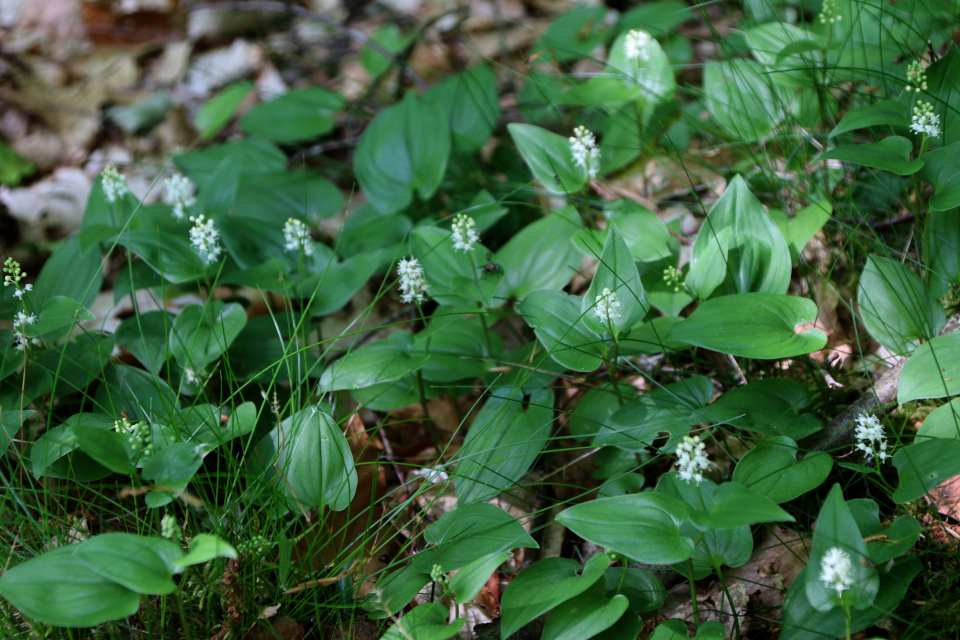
column 896, row 307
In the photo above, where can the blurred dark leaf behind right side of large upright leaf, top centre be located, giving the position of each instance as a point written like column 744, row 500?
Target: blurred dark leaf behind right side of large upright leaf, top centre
column 471, row 104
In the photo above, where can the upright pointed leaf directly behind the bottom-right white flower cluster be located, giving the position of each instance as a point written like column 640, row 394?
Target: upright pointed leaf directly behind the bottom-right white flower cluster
column 836, row 528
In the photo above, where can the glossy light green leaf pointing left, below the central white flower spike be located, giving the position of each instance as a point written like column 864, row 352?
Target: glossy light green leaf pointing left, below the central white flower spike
column 382, row 361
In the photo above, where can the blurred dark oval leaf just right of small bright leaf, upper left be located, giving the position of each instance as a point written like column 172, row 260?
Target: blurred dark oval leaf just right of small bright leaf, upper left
column 299, row 114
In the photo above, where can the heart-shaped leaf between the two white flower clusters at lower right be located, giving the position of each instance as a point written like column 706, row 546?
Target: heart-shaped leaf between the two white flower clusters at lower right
column 771, row 469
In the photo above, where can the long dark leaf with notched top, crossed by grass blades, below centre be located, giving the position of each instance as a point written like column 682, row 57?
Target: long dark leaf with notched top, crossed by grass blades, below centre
column 502, row 443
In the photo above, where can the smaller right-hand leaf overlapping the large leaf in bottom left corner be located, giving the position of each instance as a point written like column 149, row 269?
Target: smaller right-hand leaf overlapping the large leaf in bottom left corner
column 136, row 562
